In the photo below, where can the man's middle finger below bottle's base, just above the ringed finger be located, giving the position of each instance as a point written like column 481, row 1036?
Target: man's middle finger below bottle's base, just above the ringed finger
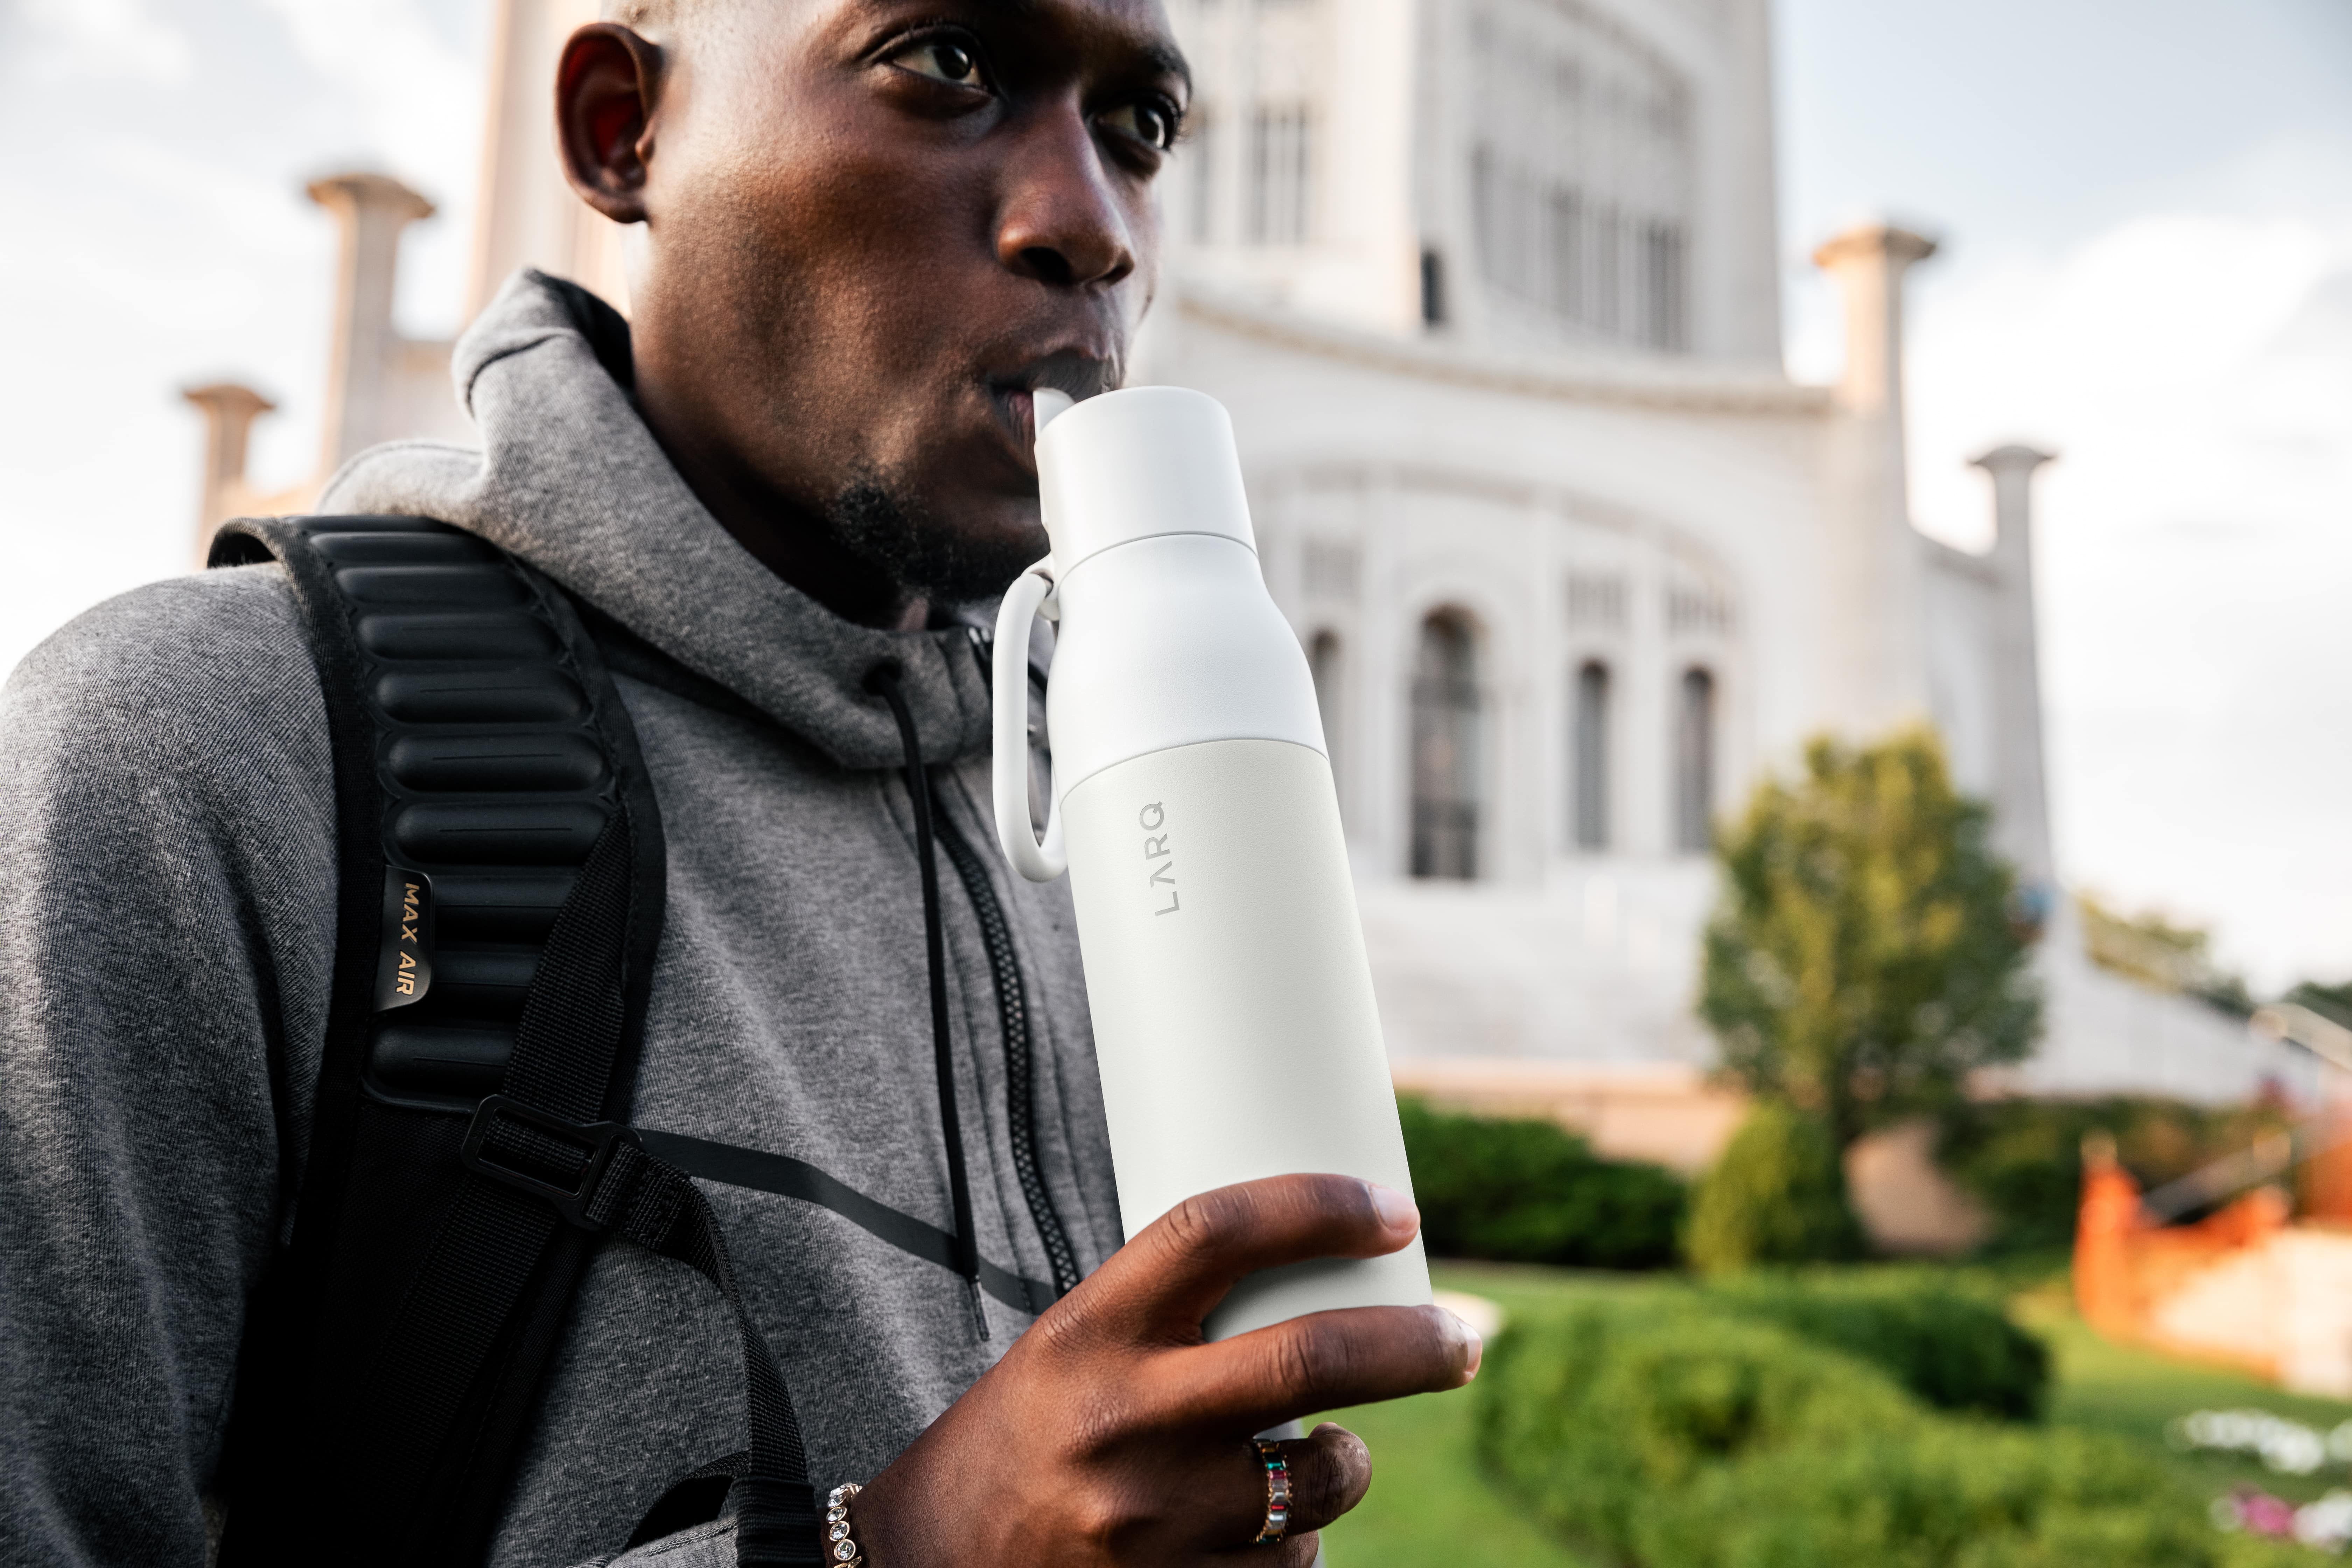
column 1321, row 1362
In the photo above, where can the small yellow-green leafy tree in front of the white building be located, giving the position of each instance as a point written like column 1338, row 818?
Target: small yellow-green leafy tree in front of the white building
column 1862, row 960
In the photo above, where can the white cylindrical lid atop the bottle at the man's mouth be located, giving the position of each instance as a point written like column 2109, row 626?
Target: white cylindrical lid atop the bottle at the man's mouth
column 1137, row 464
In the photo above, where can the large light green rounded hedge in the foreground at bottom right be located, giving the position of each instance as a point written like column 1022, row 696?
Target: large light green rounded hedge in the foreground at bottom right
column 1676, row 1433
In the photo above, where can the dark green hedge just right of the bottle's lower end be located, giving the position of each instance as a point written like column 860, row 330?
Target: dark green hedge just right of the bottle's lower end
column 1535, row 1193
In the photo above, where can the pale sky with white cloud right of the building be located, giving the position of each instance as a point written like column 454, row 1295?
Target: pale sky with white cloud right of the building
column 2146, row 222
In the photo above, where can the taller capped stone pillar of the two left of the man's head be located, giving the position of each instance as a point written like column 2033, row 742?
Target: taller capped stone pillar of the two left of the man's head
column 363, row 377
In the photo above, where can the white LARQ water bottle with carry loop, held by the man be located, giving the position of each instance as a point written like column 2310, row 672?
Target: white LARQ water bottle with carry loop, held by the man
column 1196, row 815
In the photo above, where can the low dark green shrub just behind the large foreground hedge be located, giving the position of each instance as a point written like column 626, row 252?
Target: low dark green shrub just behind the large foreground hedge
column 1949, row 1348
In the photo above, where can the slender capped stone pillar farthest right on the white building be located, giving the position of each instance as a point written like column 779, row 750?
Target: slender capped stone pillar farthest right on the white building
column 2022, row 824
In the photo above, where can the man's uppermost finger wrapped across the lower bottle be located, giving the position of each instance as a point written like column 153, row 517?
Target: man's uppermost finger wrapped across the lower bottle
column 1189, row 1259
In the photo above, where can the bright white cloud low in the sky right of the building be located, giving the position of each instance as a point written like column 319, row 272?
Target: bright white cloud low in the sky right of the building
column 2193, row 370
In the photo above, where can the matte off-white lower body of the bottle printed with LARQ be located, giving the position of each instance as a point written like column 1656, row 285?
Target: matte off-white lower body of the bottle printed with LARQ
column 1234, row 1012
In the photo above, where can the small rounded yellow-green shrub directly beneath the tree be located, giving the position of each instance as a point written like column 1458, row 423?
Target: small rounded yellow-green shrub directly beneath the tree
column 1777, row 1195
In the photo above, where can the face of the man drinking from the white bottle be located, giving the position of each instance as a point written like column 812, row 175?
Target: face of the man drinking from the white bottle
column 878, row 225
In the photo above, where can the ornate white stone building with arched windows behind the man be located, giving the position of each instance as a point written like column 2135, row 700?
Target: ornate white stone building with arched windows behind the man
column 1492, row 293
